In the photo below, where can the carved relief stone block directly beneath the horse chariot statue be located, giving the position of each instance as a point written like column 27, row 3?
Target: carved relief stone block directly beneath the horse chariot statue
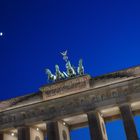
column 66, row 87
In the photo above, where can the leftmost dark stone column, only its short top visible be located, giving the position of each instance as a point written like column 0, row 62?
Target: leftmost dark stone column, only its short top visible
column 23, row 133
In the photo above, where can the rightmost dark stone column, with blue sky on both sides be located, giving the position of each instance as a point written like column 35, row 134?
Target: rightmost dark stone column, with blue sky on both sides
column 128, row 122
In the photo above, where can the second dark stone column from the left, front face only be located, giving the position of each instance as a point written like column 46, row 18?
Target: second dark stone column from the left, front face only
column 52, row 130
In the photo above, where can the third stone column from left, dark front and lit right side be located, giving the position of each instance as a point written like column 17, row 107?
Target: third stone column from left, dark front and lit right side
column 96, row 126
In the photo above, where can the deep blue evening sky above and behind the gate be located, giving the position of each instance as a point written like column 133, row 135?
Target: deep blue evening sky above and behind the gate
column 105, row 33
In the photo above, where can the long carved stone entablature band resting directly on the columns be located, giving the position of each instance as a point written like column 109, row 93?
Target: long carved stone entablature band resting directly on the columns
column 82, row 102
